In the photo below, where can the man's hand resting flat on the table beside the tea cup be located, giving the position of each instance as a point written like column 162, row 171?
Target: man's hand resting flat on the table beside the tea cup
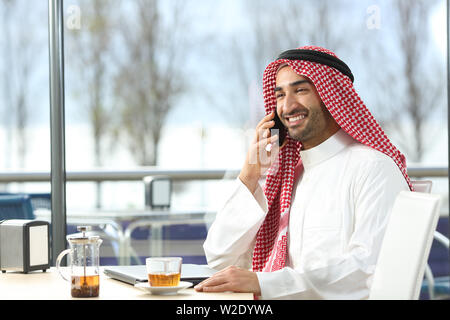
column 231, row 279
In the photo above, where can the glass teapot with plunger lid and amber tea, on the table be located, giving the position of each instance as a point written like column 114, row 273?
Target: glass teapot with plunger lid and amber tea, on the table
column 84, row 262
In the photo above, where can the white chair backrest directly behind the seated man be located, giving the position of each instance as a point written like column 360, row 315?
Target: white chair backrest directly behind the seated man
column 406, row 246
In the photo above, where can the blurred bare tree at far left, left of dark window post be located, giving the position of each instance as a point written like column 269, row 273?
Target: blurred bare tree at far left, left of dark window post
column 21, row 49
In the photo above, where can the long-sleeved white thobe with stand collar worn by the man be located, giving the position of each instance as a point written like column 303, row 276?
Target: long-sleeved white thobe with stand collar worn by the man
column 339, row 211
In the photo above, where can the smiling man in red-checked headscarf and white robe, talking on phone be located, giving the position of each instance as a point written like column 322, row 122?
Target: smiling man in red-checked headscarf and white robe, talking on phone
column 314, row 229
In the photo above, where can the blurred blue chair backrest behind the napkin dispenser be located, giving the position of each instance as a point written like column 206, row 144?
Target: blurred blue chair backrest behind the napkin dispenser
column 16, row 207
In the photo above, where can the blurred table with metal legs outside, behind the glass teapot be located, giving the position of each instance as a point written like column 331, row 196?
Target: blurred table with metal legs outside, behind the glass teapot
column 156, row 219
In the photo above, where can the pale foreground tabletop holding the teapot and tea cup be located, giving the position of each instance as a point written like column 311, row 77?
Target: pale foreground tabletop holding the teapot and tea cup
column 49, row 285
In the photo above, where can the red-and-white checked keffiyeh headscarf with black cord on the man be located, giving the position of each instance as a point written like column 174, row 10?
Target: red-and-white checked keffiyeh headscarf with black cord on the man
column 334, row 83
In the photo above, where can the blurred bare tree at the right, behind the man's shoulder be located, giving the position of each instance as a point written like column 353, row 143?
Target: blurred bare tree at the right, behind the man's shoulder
column 411, row 85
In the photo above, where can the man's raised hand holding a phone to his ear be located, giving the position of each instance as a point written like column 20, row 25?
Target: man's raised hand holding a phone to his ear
column 258, row 159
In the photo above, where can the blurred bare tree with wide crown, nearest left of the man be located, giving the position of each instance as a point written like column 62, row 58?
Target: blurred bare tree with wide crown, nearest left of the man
column 151, row 75
